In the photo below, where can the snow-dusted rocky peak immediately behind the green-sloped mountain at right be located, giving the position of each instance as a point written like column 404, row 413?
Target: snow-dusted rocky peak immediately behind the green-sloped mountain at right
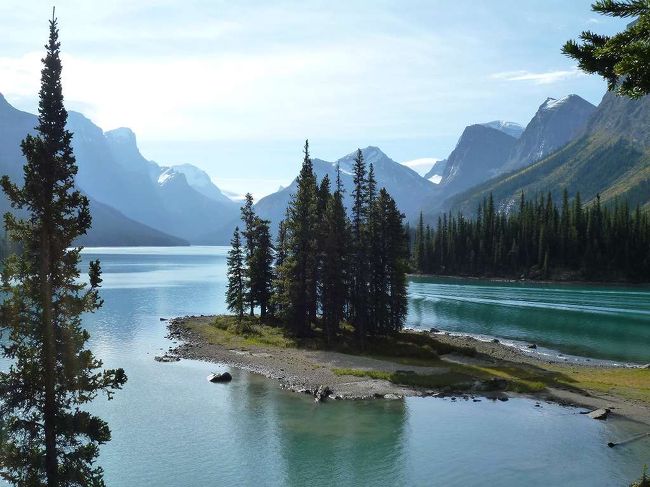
column 556, row 123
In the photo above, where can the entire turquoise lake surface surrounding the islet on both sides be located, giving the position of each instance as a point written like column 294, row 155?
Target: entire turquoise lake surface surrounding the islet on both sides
column 173, row 428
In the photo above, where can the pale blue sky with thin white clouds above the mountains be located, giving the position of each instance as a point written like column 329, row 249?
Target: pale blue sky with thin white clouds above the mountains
column 236, row 87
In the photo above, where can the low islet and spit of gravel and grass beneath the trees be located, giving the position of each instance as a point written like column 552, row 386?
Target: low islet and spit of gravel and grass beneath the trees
column 411, row 363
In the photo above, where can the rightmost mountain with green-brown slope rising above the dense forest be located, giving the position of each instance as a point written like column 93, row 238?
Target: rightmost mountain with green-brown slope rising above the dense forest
column 611, row 158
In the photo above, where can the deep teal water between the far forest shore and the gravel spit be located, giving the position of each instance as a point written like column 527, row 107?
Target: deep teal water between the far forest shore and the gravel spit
column 605, row 322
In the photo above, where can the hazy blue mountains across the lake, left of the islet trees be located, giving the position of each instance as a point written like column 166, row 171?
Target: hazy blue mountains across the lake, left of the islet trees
column 114, row 173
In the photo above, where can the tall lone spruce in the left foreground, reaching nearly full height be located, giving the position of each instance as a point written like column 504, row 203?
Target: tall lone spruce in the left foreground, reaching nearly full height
column 48, row 439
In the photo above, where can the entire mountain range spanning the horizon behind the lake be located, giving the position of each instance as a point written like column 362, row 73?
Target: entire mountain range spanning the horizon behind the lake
column 568, row 143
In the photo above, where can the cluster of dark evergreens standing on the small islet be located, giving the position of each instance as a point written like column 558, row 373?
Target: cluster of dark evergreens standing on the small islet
column 325, row 268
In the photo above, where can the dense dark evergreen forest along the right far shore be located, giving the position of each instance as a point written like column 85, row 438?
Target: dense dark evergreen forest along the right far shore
column 539, row 239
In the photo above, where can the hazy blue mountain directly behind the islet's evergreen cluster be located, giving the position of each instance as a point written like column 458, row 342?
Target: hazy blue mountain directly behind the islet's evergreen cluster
column 408, row 188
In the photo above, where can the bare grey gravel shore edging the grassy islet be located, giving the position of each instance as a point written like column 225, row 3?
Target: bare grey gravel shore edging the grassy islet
column 311, row 371
